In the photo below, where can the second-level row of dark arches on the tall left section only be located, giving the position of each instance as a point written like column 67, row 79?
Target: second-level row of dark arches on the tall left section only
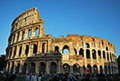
column 26, row 49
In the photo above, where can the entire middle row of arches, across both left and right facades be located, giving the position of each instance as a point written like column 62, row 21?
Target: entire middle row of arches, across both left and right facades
column 65, row 50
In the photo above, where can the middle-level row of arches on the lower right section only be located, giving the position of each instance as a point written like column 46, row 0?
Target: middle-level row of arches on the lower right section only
column 88, row 52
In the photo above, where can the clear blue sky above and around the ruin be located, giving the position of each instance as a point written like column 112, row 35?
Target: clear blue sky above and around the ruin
column 99, row 18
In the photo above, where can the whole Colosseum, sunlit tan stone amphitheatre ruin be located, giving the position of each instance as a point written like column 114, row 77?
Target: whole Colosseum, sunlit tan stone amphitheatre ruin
column 31, row 50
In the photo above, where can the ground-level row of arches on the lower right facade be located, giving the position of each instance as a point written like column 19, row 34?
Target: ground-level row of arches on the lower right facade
column 106, row 69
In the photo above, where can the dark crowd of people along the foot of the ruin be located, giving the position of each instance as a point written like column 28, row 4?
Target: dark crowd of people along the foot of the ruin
column 57, row 77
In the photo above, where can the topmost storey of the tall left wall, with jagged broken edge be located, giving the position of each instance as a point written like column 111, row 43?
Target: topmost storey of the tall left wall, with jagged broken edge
column 28, row 17
